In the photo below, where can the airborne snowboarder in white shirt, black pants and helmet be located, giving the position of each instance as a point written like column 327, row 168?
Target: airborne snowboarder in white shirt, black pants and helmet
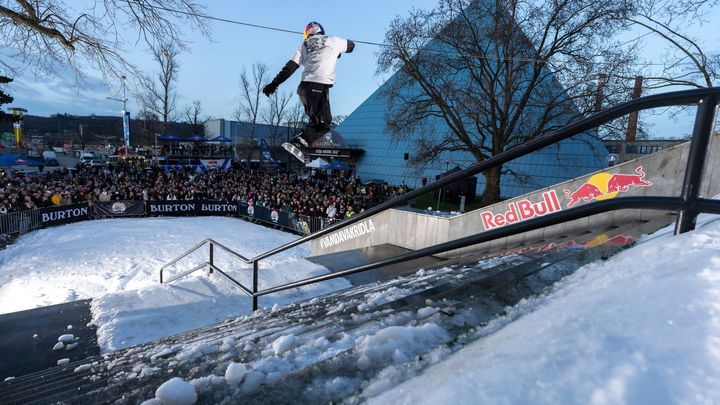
column 318, row 55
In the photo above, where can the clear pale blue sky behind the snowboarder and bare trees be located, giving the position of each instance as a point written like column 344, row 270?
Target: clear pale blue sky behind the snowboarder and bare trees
column 210, row 70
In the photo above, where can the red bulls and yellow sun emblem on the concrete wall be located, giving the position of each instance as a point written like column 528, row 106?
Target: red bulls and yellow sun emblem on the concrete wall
column 603, row 186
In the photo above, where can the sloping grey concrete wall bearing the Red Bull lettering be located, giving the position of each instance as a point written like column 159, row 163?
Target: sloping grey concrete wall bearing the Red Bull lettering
column 665, row 170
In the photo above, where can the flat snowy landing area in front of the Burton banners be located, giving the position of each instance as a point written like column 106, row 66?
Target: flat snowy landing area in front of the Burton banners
column 117, row 263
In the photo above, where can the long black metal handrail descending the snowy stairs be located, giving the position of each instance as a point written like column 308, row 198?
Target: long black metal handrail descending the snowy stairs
column 688, row 204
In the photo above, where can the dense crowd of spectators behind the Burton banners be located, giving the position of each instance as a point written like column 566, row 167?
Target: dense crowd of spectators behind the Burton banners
column 313, row 193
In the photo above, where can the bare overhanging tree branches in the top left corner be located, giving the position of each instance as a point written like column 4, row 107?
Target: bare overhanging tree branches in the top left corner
column 41, row 35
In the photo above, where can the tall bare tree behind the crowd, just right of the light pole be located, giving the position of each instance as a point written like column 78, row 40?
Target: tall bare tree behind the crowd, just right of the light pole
column 159, row 92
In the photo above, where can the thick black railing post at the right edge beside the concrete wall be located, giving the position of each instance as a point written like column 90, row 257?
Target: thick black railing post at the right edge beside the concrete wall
column 704, row 122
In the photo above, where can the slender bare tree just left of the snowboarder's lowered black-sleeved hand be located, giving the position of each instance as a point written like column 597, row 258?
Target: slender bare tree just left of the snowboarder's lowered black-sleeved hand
column 249, row 108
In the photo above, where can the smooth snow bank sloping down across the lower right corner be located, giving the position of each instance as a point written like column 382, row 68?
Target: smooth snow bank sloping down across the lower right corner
column 642, row 327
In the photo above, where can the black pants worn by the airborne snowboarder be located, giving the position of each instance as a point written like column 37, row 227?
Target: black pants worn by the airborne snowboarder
column 316, row 100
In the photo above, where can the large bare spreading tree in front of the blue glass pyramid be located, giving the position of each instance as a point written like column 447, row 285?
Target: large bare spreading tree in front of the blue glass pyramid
column 483, row 76
